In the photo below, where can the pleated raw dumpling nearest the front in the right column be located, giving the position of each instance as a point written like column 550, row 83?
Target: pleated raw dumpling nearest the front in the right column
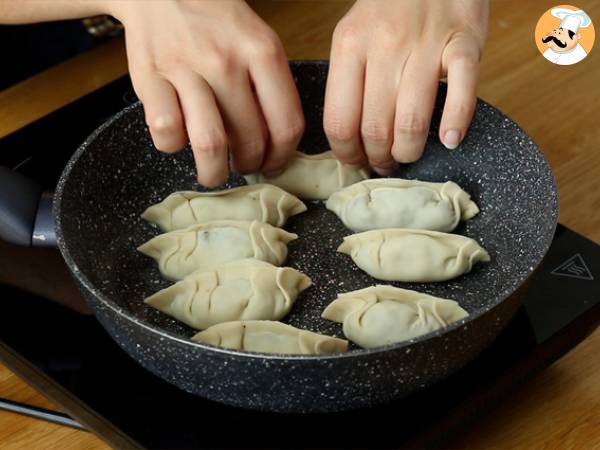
column 381, row 315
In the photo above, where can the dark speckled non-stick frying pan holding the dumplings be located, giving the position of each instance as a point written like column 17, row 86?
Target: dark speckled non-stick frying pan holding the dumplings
column 117, row 173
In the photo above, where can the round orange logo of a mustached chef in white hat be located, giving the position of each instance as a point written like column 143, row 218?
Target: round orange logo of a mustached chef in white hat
column 565, row 35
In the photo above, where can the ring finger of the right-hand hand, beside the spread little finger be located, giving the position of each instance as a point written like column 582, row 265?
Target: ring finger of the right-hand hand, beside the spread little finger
column 414, row 106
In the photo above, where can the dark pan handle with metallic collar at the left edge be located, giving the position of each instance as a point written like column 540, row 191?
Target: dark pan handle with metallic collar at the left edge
column 25, row 211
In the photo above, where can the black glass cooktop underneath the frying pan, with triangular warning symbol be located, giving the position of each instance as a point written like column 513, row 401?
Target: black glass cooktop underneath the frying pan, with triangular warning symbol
column 72, row 360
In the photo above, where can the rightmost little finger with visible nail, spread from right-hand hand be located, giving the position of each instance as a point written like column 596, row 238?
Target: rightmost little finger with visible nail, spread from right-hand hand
column 461, row 60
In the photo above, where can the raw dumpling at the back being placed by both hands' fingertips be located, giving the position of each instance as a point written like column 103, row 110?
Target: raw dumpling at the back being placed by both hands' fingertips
column 313, row 177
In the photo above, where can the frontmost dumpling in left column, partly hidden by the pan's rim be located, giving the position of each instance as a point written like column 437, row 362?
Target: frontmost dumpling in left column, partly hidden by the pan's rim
column 269, row 337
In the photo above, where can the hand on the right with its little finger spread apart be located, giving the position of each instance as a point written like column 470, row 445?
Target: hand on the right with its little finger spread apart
column 386, row 62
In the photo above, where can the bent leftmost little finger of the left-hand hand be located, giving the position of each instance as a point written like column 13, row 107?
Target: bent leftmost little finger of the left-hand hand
column 162, row 111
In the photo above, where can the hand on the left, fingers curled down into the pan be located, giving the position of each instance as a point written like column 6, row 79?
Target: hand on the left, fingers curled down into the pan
column 214, row 72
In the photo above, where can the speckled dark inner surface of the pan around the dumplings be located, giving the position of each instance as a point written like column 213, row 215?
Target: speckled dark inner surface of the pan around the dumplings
column 117, row 173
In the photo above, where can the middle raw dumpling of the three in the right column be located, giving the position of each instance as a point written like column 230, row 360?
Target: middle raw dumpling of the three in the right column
column 397, row 254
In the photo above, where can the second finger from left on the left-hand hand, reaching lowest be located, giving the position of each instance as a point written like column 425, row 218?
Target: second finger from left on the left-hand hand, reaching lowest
column 204, row 128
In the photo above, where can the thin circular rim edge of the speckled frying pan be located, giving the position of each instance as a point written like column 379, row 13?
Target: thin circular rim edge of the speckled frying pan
column 361, row 352
